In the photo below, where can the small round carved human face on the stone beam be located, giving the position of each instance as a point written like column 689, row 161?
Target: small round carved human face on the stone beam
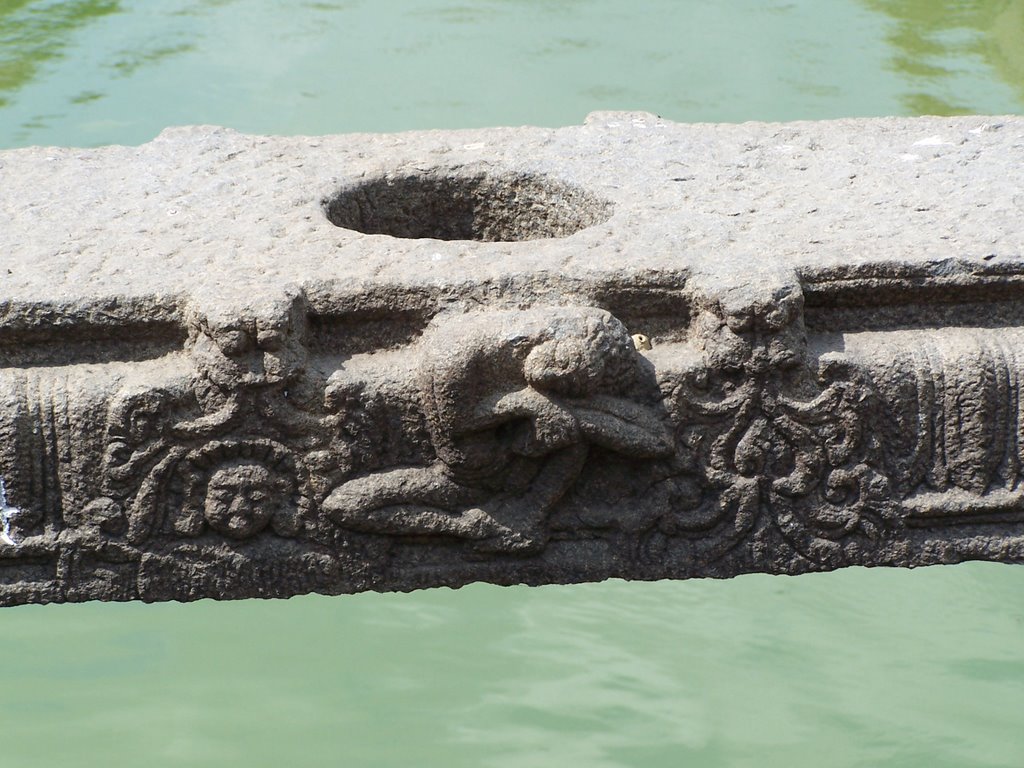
column 241, row 499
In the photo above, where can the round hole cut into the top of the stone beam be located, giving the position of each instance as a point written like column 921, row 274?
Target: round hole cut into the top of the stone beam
column 481, row 207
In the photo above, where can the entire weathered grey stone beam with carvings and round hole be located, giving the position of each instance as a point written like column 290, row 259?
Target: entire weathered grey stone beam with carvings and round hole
column 236, row 366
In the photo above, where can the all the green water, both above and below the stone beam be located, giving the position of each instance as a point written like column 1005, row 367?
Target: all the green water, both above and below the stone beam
column 860, row 668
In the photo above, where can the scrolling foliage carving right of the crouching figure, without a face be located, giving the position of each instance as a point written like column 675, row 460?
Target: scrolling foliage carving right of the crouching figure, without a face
column 778, row 439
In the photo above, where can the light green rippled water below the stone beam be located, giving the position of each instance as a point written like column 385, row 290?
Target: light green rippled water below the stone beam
column 879, row 667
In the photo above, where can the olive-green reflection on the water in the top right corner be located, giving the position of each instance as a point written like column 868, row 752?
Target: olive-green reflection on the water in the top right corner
column 938, row 44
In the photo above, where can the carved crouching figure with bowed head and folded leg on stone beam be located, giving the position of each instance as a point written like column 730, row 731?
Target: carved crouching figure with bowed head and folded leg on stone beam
column 513, row 402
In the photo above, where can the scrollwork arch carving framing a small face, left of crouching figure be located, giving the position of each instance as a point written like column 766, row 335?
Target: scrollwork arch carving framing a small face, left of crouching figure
column 208, row 452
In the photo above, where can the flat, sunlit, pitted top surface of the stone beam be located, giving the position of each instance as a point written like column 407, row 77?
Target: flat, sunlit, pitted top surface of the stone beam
column 209, row 209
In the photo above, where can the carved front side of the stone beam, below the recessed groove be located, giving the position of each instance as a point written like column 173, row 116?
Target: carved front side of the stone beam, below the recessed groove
column 281, row 449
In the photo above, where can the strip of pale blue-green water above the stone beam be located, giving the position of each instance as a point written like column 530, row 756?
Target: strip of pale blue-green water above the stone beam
column 94, row 72
